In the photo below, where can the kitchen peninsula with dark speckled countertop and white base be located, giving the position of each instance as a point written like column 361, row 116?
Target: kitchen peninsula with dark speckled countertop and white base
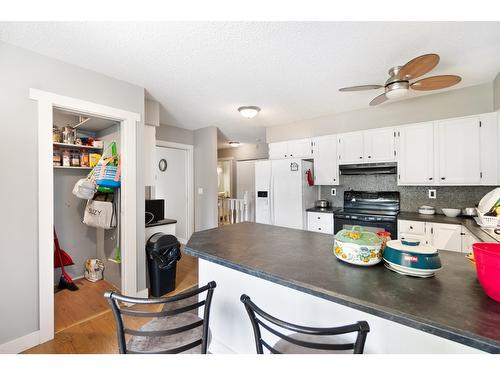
column 293, row 275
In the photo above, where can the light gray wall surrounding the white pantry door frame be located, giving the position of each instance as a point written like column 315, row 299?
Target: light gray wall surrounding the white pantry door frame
column 21, row 70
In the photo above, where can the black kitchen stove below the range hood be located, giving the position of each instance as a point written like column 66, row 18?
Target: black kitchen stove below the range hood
column 373, row 211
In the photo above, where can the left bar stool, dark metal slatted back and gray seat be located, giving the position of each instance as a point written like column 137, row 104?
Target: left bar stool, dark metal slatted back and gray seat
column 173, row 330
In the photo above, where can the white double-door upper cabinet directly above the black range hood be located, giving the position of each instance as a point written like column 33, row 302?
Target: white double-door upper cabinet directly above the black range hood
column 369, row 146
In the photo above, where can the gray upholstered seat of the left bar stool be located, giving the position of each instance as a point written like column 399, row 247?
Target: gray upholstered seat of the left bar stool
column 159, row 343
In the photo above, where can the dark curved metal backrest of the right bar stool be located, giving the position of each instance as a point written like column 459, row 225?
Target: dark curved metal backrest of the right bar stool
column 361, row 328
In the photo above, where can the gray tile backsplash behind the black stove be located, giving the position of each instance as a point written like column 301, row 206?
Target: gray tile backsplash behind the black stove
column 412, row 197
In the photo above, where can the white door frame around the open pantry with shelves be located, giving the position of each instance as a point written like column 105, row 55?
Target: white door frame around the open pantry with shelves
column 128, row 144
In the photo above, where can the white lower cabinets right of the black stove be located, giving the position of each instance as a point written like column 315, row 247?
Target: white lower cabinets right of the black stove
column 442, row 236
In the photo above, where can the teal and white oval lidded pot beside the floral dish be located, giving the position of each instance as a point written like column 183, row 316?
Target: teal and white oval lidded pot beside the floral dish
column 409, row 257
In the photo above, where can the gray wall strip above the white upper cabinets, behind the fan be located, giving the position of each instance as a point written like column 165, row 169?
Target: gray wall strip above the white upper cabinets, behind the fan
column 454, row 103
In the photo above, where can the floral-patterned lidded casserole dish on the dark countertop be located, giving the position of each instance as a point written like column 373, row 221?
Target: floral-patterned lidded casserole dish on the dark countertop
column 357, row 247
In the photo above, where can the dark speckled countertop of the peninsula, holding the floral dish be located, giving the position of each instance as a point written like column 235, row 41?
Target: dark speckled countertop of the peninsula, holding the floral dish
column 451, row 305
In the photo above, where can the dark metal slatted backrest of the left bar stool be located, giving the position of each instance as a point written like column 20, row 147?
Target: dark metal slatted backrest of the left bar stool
column 119, row 311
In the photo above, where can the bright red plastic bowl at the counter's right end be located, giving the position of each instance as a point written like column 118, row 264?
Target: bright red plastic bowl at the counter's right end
column 487, row 257
